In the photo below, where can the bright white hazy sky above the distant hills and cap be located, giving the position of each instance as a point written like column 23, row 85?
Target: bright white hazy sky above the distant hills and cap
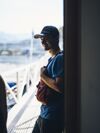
column 21, row 16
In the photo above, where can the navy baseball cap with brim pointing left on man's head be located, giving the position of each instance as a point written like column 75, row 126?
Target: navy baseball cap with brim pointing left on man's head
column 48, row 31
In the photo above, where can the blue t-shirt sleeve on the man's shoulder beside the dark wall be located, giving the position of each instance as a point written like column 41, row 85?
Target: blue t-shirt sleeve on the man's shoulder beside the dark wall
column 58, row 66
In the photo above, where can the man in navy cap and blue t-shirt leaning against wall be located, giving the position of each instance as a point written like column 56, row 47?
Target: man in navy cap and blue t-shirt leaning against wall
column 51, row 115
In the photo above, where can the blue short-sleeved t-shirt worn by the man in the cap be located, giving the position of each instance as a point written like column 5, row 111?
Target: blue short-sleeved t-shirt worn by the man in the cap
column 55, row 68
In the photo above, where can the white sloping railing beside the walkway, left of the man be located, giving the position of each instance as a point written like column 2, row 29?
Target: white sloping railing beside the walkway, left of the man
column 26, row 79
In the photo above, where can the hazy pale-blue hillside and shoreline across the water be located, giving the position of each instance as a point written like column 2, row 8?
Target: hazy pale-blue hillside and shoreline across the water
column 20, row 44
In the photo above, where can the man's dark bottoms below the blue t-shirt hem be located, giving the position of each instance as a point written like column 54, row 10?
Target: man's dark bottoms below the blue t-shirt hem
column 47, row 126
